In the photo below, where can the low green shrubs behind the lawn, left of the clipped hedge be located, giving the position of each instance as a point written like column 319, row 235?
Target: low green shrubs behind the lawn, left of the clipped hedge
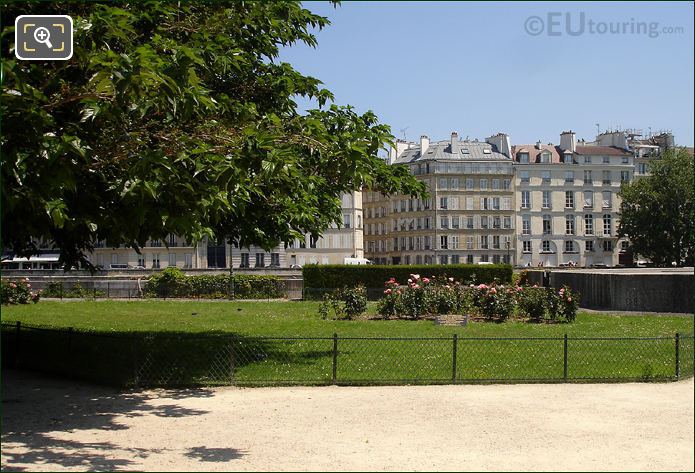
column 172, row 282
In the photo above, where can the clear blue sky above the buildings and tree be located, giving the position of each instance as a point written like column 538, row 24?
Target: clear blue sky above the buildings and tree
column 436, row 67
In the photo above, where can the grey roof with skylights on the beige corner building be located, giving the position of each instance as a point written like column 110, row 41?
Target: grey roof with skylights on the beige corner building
column 441, row 150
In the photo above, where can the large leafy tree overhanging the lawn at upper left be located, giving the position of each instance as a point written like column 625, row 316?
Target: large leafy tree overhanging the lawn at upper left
column 175, row 117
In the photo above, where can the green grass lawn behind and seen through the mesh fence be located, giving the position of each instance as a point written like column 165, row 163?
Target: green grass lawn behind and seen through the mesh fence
column 198, row 349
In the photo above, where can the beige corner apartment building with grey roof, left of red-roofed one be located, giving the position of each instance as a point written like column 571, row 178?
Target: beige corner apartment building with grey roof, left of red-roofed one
column 469, row 217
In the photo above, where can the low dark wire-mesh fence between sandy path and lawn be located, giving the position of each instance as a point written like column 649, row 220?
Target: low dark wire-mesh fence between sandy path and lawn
column 184, row 359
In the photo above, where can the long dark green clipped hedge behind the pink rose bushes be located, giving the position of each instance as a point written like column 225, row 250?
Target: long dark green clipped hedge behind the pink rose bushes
column 373, row 276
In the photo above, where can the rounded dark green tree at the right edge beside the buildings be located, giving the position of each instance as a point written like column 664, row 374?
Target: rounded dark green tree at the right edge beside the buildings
column 656, row 212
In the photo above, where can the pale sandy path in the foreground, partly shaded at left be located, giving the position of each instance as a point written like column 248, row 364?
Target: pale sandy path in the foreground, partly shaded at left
column 52, row 425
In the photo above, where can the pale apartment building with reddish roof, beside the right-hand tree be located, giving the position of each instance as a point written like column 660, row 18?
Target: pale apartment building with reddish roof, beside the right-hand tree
column 568, row 202
